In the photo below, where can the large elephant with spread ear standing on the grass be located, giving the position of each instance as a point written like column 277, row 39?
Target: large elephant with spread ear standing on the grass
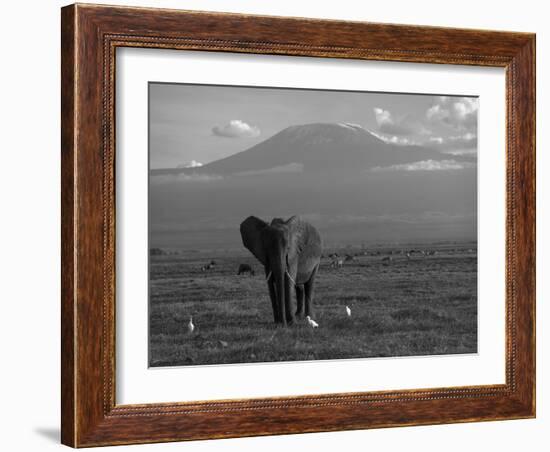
column 290, row 252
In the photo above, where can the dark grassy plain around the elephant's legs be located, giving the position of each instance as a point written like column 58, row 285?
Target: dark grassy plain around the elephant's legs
column 422, row 305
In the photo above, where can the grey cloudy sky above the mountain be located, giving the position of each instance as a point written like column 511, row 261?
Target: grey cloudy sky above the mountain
column 191, row 125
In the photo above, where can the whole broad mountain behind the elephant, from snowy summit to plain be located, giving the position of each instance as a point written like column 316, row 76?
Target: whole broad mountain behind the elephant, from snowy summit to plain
column 324, row 173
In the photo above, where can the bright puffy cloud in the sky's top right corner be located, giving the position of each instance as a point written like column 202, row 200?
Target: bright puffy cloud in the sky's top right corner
column 457, row 112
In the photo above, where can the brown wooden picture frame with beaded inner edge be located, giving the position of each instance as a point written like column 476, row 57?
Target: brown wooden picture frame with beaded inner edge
column 90, row 36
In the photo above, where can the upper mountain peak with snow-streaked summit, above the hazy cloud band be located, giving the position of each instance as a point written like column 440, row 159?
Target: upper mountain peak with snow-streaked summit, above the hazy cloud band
column 319, row 147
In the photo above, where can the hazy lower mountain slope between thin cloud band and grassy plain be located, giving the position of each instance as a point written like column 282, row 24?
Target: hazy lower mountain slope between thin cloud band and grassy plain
column 380, row 206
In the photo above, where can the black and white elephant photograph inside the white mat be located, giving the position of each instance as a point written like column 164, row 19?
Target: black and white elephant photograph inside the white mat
column 294, row 224
